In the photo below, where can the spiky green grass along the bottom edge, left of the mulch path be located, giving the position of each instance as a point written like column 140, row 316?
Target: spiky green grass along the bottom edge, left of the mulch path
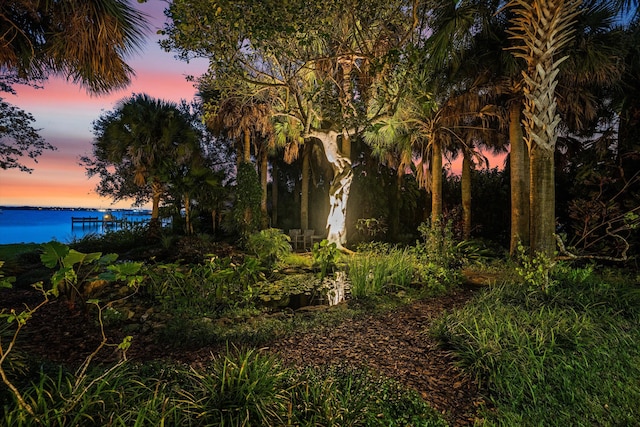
column 239, row 388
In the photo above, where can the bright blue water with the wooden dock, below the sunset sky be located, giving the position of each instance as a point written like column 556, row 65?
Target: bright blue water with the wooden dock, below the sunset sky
column 43, row 225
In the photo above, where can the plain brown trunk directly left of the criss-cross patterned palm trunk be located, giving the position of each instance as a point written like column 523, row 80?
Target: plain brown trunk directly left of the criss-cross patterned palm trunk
column 519, row 178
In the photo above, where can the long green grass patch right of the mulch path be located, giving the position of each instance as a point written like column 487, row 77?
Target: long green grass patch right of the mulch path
column 565, row 355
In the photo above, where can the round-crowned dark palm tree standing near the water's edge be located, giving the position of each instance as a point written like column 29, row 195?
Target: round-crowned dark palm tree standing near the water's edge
column 152, row 136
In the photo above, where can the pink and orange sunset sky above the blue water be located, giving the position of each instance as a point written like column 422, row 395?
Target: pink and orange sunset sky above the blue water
column 64, row 113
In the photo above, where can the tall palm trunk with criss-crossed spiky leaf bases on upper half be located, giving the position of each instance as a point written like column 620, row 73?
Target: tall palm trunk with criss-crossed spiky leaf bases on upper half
column 542, row 27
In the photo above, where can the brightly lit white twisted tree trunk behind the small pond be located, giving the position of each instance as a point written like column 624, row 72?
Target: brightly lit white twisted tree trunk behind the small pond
column 339, row 190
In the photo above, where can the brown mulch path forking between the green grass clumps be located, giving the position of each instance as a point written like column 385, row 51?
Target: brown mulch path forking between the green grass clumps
column 395, row 345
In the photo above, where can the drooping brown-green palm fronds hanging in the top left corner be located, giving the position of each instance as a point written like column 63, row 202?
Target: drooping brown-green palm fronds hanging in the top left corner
column 83, row 40
